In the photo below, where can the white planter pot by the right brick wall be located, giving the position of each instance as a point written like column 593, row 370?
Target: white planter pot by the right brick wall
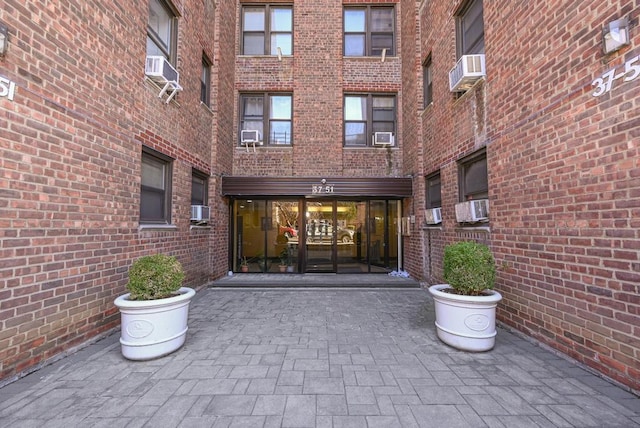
column 465, row 322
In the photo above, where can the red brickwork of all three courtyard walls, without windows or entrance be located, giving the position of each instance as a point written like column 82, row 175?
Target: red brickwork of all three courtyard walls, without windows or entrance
column 563, row 165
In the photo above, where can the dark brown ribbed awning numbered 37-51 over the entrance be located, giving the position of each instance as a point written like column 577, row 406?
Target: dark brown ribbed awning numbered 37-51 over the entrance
column 386, row 187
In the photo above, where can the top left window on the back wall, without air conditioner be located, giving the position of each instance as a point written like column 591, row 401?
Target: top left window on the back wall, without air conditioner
column 267, row 28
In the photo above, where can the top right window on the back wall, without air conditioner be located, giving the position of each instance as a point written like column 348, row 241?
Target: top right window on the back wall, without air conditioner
column 368, row 30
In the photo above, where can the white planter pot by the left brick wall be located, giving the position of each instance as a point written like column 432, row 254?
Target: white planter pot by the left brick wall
column 153, row 328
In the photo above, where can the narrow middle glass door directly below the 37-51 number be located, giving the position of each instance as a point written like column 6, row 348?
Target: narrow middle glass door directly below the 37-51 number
column 320, row 235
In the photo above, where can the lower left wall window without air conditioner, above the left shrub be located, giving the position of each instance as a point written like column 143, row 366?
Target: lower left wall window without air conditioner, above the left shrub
column 155, row 188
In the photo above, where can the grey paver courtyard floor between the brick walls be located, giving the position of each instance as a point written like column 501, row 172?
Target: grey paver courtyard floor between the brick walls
column 316, row 358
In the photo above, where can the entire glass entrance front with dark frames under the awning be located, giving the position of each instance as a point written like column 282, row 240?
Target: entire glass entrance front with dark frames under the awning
column 315, row 235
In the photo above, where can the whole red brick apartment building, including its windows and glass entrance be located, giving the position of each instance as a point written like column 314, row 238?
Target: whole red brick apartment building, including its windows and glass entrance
column 328, row 137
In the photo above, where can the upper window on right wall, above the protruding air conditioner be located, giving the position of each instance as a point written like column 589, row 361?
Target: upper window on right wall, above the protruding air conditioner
column 470, row 29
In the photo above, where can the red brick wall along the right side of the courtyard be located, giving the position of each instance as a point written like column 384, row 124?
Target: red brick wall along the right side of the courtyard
column 563, row 172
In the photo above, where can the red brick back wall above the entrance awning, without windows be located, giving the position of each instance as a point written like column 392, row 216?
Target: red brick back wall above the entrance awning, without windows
column 317, row 75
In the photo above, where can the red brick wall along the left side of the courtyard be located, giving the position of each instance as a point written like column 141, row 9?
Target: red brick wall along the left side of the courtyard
column 70, row 155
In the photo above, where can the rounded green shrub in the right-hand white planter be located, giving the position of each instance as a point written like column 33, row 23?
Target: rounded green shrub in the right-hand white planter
column 469, row 268
